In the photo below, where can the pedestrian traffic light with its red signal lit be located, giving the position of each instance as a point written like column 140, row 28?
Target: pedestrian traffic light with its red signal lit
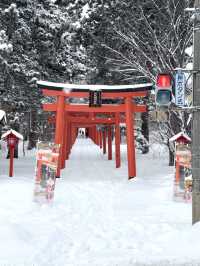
column 164, row 85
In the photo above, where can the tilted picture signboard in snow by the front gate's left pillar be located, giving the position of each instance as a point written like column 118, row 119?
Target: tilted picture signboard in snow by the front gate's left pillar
column 47, row 164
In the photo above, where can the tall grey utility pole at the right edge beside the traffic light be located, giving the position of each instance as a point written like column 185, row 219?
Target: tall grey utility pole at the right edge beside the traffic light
column 196, row 119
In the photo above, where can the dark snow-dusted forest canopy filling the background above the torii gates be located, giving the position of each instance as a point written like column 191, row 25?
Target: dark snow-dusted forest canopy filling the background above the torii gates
column 98, row 41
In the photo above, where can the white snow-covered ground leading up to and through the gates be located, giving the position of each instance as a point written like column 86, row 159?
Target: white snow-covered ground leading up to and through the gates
column 98, row 217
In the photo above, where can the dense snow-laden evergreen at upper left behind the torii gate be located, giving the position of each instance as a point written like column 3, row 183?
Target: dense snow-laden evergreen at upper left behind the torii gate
column 36, row 42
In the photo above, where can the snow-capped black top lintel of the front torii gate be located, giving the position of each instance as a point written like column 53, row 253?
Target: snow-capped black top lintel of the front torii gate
column 107, row 88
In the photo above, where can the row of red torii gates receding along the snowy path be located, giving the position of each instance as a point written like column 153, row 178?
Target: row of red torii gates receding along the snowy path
column 69, row 117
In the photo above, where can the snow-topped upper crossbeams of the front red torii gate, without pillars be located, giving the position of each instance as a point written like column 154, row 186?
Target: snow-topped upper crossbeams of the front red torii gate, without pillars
column 82, row 91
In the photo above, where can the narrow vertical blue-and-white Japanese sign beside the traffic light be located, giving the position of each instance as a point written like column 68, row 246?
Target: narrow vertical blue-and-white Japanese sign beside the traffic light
column 180, row 89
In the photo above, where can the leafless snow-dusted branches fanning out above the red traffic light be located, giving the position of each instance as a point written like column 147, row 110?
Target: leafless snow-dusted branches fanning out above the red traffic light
column 156, row 35
